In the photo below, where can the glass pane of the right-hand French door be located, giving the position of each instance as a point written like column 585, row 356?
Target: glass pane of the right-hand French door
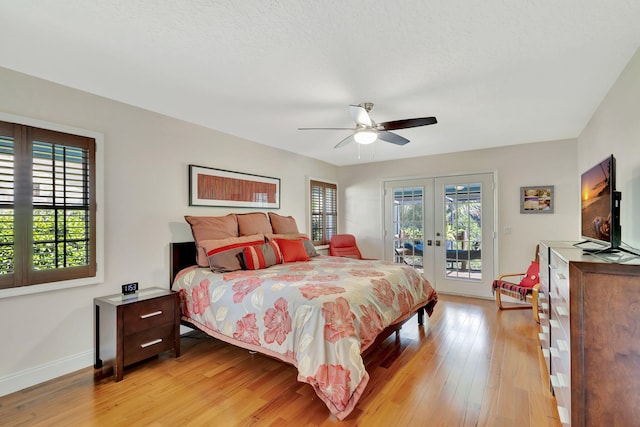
column 463, row 214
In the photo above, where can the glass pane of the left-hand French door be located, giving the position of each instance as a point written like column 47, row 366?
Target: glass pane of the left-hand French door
column 408, row 208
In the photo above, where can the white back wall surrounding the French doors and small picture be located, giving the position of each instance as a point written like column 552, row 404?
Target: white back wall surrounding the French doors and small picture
column 543, row 163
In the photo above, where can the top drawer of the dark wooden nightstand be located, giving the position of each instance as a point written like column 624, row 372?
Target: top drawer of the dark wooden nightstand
column 149, row 314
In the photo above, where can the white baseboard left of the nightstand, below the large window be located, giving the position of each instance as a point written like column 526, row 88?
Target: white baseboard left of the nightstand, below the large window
column 38, row 374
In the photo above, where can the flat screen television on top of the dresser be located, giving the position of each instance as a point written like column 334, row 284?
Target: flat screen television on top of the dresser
column 600, row 206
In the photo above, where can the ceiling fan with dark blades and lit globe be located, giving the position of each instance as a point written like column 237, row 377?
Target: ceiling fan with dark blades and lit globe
column 367, row 131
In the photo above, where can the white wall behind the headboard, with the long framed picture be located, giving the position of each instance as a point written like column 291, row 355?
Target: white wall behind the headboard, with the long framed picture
column 146, row 196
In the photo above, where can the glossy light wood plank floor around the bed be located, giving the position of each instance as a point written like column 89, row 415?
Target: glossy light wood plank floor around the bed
column 469, row 365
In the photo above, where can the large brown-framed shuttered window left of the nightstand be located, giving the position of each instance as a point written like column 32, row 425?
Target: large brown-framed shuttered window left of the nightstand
column 47, row 206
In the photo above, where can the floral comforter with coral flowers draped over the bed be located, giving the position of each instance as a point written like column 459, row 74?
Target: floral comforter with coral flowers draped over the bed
column 318, row 315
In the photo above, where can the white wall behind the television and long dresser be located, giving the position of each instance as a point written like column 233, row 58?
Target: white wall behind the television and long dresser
column 615, row 129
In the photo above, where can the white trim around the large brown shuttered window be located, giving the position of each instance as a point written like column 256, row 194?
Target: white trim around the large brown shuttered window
column 99, row 277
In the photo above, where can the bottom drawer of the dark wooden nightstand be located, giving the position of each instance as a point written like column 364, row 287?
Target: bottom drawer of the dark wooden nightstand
column 148, row 343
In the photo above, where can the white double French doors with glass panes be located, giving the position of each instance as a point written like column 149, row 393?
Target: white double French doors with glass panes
column 444, row 226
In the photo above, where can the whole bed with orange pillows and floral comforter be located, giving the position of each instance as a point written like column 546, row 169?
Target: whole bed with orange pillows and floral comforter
column 259, row 284
